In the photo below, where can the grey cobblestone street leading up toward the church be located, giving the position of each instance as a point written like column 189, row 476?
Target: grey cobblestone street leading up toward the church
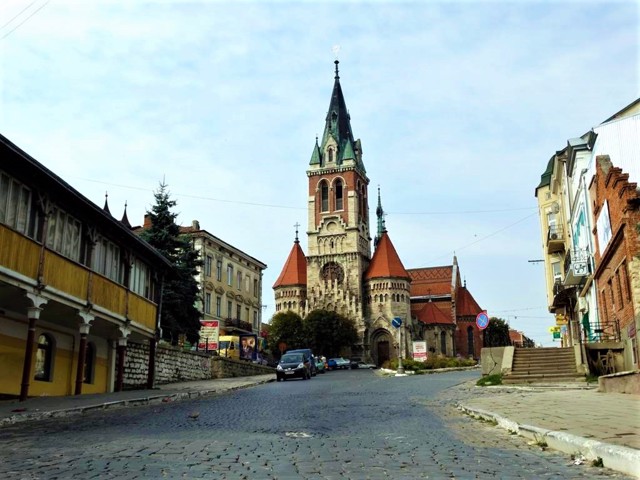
column 345, row 424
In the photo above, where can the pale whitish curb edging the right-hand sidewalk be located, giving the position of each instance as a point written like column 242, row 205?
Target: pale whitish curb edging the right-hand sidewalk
column 622, row 459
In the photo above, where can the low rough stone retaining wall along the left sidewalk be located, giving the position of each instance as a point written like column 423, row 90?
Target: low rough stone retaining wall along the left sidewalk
column 175, row 365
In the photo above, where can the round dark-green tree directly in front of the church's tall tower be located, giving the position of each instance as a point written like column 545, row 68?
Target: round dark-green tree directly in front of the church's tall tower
column 328, row 332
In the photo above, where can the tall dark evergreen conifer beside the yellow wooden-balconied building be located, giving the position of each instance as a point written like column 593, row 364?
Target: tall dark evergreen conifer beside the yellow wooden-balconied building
column 180, row 293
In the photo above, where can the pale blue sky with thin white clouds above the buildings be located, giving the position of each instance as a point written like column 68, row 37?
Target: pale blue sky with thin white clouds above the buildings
column 459, row 107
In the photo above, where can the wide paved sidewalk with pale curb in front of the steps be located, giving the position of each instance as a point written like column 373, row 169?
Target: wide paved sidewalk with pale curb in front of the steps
column 575, row 420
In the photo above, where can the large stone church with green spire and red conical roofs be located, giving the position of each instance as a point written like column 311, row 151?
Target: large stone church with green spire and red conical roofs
column 341, row 273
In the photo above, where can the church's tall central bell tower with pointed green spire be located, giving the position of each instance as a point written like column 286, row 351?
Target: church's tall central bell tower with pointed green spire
column 339, row 243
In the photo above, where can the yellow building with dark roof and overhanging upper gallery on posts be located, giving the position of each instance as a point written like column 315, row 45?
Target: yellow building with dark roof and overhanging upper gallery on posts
column 75, row 285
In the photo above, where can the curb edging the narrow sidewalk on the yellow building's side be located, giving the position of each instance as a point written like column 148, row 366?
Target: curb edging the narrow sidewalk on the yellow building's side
column 131, row 402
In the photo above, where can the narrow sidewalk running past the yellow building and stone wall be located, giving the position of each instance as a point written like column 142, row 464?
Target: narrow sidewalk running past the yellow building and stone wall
column 39, row 408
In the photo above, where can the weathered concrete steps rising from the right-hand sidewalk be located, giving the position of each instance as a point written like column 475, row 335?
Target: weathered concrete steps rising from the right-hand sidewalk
column 543, row 365
